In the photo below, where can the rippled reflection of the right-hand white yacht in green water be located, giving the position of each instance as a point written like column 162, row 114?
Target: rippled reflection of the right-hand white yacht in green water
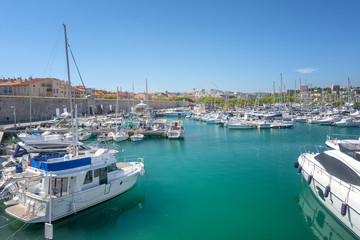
column 317, row 217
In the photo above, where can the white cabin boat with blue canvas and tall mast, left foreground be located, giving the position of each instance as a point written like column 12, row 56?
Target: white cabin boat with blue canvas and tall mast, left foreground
column 62, row 183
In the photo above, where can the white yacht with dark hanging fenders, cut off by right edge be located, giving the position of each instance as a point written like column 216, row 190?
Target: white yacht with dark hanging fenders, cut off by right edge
column 334, row 178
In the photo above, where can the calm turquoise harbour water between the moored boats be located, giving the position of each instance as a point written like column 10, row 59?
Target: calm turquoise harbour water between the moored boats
column 214, row 184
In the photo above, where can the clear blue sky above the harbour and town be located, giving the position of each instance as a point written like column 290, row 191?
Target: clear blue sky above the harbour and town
column 179, row 45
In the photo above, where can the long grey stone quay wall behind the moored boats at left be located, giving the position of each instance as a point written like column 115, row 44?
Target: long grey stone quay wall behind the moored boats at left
column 45, row 108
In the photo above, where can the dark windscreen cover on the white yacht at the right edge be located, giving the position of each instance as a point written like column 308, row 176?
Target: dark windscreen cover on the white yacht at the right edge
column 338, row 169
